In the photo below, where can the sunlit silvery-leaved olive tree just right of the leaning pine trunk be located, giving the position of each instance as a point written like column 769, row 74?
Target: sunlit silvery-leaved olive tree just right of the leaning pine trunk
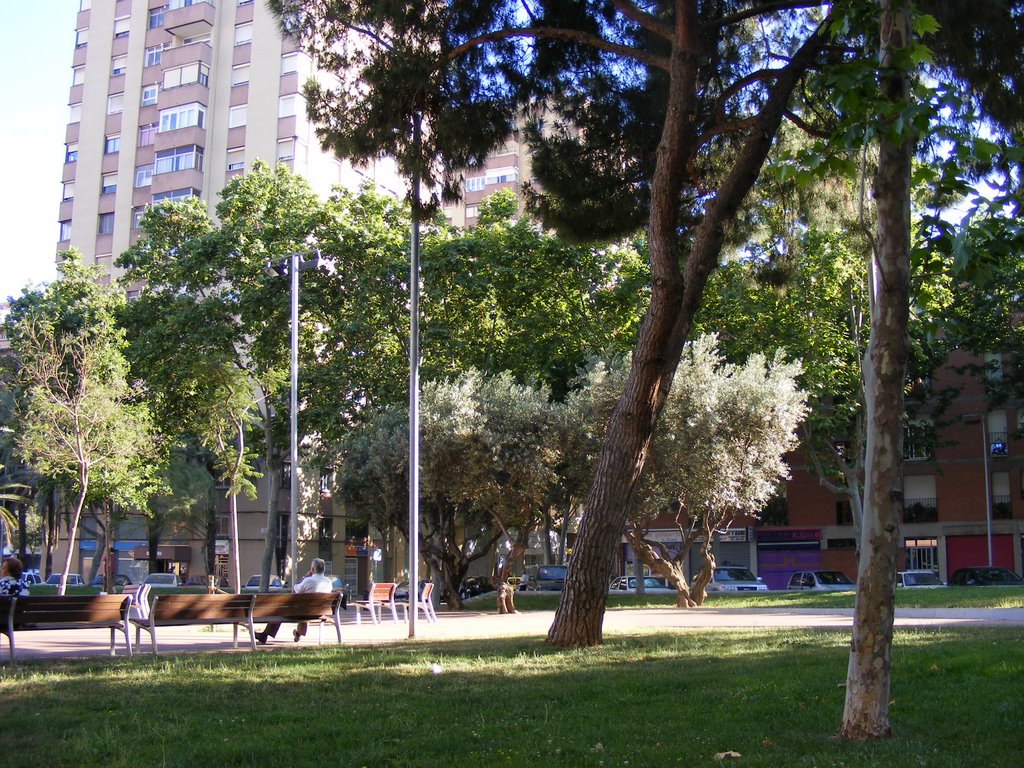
column 719, row 455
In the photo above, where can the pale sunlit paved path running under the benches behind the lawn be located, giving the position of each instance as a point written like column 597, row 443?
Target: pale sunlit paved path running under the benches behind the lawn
column 483, row 624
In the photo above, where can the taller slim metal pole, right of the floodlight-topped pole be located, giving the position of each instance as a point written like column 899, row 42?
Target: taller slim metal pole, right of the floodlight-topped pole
column 414, row 391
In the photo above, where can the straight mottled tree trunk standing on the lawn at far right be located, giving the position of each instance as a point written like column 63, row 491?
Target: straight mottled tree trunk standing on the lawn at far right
column 867, row 712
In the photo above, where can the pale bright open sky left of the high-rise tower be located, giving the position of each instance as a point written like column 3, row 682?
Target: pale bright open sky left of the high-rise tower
column 37, row 40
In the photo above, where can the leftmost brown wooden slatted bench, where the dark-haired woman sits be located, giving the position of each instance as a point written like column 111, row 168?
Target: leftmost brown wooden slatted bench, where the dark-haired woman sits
column 66, row 613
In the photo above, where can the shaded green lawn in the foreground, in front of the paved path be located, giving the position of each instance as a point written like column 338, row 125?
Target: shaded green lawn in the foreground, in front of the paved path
column 656, row 700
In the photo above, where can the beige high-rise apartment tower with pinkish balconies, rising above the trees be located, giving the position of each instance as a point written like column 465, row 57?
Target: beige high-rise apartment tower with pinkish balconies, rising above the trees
column 172, row 99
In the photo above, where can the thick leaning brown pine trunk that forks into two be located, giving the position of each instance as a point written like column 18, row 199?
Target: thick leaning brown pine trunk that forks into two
column 675, row 300
